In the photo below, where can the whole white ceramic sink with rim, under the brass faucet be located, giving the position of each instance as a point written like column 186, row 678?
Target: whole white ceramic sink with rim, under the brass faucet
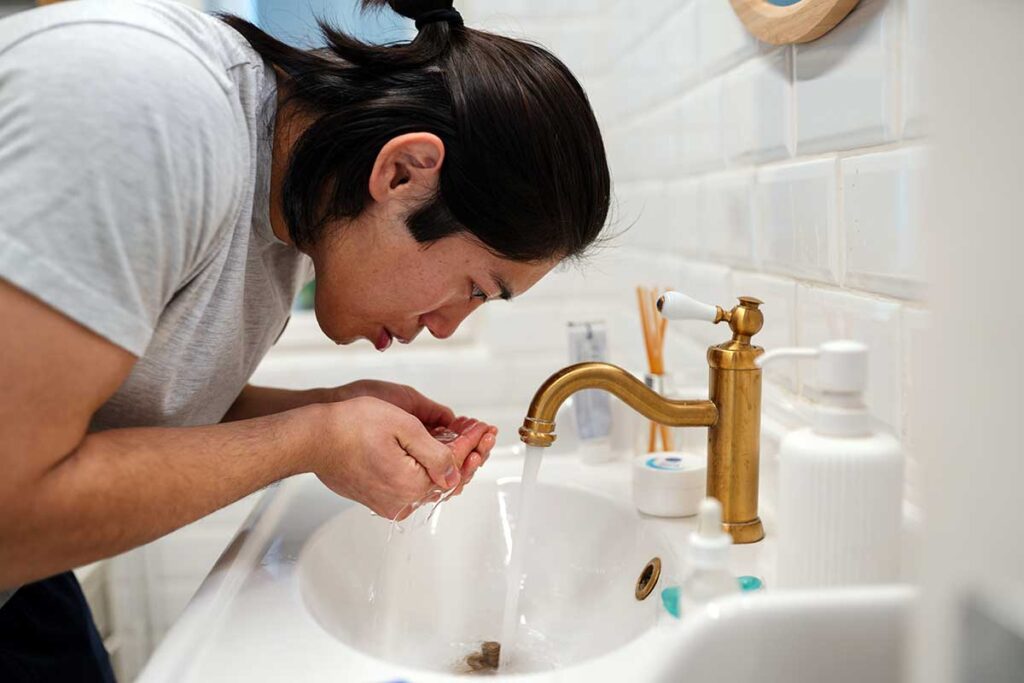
column 290, row 599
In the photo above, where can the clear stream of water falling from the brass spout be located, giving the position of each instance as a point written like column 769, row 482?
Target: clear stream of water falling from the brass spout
column 515, row 578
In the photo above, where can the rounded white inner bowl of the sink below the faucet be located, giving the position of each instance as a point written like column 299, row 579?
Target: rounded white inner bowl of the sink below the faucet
column 429, row 597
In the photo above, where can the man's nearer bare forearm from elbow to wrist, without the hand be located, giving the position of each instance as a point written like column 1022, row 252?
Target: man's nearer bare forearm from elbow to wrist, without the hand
column 123, row 488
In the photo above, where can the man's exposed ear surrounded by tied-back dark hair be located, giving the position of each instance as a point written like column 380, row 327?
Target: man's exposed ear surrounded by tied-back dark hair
column 408, row 167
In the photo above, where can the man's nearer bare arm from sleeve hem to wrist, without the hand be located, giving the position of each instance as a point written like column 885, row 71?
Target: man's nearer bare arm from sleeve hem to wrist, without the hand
column 68, row 498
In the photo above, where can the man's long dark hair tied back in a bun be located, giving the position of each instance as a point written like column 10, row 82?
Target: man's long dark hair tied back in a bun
column 525, row 169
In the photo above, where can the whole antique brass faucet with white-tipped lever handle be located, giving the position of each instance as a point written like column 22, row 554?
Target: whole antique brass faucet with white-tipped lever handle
column 733, row 413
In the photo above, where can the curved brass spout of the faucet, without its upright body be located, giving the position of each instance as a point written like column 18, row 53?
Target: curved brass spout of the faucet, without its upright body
column 539, row 428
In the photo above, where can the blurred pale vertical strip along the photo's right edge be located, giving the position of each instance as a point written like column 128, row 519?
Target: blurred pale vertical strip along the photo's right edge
column 971, row 623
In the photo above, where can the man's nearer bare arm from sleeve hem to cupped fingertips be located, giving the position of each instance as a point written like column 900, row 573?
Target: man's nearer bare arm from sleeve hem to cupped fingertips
column 68, row 498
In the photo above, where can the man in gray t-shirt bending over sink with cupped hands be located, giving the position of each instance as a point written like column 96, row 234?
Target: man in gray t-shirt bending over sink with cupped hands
column 169, row 180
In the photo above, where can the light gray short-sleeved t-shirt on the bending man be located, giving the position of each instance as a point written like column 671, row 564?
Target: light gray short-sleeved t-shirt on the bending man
column 135, row 180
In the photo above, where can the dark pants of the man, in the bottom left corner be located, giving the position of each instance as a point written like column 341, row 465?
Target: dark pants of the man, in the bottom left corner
column 48, row 634
